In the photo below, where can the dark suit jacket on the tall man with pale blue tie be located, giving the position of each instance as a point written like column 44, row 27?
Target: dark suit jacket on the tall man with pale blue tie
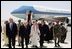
column 9, row 32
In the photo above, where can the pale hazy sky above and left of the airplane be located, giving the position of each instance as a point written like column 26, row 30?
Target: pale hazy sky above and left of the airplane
column 8, row 6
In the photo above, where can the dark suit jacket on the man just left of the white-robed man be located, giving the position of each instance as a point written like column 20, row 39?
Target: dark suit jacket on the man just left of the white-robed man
column 24, row 31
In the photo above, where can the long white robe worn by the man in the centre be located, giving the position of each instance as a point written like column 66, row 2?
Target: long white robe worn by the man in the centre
column 34, row 35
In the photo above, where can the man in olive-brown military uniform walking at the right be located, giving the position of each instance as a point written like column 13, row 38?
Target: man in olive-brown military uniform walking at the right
column 57, row 33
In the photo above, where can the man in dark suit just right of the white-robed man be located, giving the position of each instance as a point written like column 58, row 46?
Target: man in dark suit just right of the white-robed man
column 42, row 33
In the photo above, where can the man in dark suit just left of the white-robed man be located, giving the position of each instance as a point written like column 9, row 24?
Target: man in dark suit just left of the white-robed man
column 24, row 32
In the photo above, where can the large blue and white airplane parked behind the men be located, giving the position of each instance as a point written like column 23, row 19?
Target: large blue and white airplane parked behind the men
column 22, row 12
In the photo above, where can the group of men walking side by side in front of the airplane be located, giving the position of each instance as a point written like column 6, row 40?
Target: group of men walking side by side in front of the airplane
column 34, row 33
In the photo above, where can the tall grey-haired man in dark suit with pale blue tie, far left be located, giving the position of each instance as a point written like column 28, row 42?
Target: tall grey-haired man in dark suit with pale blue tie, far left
column 11, row 31
